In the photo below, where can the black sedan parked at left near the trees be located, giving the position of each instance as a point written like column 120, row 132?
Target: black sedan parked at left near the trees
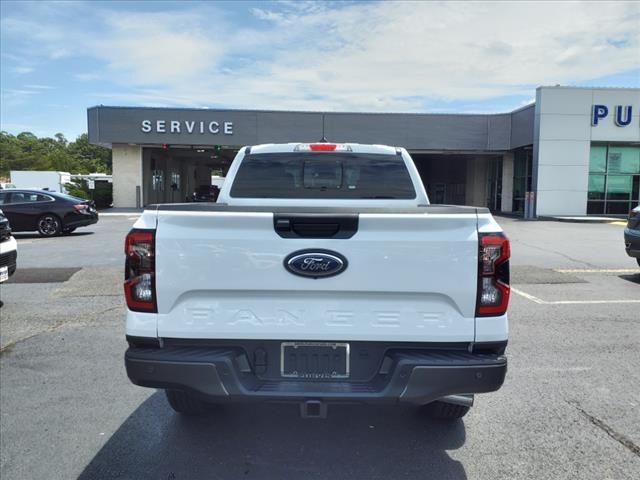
column 50, row 213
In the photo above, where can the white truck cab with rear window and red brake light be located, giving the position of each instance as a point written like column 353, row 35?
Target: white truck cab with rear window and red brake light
column 323, row 174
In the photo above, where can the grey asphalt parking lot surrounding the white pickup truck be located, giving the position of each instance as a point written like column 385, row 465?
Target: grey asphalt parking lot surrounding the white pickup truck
column 570, row 407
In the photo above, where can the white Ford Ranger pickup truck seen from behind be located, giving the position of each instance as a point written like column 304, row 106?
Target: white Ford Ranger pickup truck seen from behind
column 322, row 275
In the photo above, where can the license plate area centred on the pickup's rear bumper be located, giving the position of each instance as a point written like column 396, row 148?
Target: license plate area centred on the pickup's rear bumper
column 314, row 360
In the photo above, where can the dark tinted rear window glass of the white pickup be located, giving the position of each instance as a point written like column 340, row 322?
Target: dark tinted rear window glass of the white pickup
column 323, row 175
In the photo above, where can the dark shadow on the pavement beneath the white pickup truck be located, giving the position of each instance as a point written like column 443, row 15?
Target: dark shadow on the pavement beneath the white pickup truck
column 271, row 441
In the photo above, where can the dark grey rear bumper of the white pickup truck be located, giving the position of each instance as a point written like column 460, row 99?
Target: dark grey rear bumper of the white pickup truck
column 218, row 374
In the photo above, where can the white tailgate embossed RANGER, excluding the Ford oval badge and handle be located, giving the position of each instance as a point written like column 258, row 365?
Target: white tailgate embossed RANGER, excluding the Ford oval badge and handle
column 410, row 277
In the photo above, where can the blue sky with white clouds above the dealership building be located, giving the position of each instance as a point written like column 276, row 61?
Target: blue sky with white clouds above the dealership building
column 59, row 58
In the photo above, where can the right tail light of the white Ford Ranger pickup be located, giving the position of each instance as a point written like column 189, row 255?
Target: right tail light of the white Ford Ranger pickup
column 493, row 274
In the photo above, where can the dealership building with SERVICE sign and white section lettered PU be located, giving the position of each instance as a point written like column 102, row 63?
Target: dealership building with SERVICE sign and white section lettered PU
column 575, row 151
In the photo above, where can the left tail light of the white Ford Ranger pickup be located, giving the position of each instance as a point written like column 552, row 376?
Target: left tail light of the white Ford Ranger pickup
column 139, row 274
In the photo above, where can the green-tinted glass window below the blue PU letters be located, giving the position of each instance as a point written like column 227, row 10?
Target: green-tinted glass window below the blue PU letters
column 614, row 179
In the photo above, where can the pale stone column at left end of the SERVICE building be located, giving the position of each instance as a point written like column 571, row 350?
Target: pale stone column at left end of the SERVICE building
column 127, row 175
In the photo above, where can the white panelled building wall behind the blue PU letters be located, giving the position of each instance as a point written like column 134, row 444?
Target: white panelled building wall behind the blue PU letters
column 564, row 116
